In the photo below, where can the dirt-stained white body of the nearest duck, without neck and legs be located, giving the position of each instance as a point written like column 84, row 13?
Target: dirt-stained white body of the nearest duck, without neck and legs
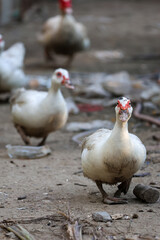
column 110, row 157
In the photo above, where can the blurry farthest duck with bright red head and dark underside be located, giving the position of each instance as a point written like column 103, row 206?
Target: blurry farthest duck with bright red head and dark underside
column 63, row 35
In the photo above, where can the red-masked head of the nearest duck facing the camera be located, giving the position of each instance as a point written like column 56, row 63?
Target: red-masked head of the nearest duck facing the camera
column 123, row 109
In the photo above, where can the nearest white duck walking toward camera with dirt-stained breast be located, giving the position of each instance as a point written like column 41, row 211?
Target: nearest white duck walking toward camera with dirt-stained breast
column 113, row 156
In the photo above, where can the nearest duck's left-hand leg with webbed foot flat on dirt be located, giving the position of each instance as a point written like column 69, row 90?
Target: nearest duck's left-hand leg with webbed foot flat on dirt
column 106, row 198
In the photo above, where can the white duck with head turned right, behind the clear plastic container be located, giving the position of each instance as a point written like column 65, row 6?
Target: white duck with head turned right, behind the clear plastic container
column 38, row 113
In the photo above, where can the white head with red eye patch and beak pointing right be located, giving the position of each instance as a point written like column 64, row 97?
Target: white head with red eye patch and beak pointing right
column 61, row 77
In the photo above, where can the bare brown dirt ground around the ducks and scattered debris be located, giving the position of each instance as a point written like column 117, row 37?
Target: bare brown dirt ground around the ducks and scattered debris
column 55, row 183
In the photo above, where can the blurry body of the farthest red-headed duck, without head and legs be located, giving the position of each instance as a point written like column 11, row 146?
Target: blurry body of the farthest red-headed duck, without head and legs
column 64, row 34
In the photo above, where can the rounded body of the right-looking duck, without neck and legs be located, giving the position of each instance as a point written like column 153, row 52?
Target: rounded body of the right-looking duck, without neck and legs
column 39, row 113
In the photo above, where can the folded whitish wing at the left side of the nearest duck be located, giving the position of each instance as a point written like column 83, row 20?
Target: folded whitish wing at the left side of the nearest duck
column 100, row 135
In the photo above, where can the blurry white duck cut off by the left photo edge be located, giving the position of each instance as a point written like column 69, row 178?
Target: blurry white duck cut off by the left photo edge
column 11, row 64
